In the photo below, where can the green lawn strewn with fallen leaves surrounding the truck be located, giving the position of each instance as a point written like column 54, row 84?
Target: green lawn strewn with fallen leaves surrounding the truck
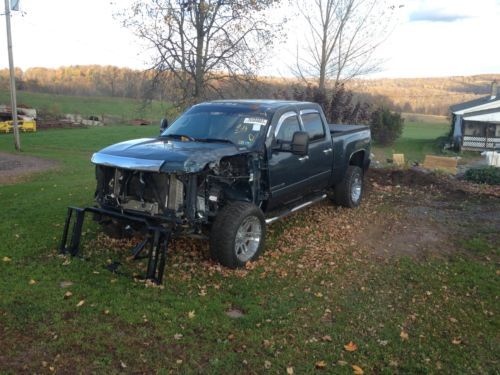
column 314, row 291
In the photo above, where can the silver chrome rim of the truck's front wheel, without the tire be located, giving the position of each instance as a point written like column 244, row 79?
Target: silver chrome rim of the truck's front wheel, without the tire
column 248, row 238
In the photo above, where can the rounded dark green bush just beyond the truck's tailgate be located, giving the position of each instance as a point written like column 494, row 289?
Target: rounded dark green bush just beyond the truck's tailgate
column 386, row 126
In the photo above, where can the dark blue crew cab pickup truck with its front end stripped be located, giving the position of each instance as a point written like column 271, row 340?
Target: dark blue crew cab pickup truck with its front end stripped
column 225, row 169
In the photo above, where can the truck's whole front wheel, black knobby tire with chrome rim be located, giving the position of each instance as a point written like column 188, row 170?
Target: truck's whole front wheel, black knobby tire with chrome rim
column 238, row 234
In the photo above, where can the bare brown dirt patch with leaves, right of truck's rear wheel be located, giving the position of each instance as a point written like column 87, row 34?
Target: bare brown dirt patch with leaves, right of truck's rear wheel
column 427, row 214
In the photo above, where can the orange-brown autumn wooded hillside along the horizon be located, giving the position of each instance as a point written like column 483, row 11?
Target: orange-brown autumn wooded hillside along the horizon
column 431, row 96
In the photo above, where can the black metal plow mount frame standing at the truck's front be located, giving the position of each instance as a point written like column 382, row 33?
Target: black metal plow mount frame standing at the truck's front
column 157, row 238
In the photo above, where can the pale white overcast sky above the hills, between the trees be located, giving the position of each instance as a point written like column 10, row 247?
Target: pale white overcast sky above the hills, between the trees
column 431, row 38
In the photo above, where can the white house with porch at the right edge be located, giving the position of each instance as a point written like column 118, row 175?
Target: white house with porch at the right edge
column 476, row 124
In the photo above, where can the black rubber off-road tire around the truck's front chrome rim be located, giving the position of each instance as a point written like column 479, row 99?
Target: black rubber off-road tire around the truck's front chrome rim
column 224, row 230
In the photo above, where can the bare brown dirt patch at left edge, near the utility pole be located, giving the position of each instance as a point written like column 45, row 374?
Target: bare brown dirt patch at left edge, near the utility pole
column 14, row 168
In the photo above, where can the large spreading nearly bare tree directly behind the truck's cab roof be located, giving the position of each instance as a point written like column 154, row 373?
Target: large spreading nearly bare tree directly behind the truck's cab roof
column 197, row 43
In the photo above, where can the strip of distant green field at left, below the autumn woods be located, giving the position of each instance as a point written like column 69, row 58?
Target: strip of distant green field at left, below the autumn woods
column 87, row 105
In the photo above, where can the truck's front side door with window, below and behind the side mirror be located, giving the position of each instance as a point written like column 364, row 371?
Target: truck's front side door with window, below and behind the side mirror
column 288, row 174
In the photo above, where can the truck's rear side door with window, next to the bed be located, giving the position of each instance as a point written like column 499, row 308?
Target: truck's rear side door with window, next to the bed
column 320, row 161
